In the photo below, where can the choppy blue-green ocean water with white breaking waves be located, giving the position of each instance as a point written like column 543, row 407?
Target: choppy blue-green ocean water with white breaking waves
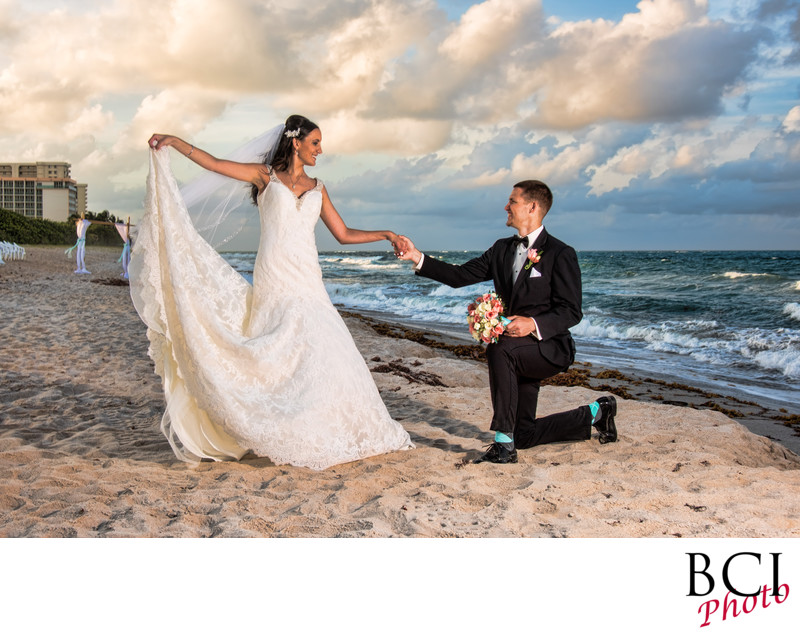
column 723, row 321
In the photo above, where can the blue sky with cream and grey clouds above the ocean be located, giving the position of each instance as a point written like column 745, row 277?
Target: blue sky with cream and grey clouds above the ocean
column 662, row 124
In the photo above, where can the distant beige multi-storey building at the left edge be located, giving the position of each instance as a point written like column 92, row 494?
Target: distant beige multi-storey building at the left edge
column 41, row 190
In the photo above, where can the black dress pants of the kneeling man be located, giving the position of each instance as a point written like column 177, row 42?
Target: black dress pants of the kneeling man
column 516, row 369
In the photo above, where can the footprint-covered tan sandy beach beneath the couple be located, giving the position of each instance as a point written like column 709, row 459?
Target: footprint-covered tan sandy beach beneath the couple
column 81, row 454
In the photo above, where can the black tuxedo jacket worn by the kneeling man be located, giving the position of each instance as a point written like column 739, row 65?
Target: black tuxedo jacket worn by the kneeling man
column 553, row 299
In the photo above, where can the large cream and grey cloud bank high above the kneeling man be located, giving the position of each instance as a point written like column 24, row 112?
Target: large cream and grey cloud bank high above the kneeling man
column 502, row 61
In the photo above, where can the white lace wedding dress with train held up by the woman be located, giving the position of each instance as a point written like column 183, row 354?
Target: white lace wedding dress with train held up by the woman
column 269, row 368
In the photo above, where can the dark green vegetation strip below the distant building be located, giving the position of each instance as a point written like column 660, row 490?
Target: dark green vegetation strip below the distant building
column 23, row 230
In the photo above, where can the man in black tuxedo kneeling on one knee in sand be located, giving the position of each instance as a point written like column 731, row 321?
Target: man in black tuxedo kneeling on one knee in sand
column 538, row 278
